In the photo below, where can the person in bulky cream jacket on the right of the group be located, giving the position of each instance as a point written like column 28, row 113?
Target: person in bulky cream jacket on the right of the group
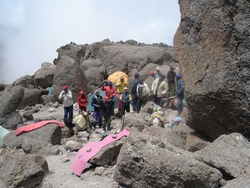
column 159, row 88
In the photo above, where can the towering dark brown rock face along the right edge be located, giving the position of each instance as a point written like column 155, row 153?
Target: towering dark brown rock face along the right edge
column 212, row 45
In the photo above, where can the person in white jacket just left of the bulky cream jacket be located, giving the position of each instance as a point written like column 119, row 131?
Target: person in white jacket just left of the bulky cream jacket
column 142, row 91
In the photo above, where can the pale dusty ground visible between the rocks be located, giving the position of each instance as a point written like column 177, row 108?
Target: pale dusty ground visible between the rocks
column 61, row 176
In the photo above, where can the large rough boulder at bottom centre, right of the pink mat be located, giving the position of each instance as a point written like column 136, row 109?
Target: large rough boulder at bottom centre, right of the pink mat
column 147, row 161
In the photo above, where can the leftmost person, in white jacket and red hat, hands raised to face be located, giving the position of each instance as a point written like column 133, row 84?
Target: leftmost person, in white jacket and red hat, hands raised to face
column 66, row 95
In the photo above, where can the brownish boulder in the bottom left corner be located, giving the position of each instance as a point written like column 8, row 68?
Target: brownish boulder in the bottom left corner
column 22, row 170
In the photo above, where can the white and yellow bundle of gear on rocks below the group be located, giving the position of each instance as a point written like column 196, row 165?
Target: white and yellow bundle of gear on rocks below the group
column 156, row 118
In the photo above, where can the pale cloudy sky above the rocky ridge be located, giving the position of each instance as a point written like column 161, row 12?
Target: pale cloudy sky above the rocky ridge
column 32, row 31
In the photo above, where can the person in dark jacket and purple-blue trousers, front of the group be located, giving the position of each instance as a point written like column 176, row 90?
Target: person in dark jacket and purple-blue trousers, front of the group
column 96, row 103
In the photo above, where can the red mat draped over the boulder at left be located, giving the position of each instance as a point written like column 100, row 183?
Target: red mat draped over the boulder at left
column 34, row 126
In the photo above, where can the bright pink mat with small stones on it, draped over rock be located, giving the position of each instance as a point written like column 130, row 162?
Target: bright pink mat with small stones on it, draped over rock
column 83, row 156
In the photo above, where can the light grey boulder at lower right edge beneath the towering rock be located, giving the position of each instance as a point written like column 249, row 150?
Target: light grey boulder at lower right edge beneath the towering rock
column 229, row 153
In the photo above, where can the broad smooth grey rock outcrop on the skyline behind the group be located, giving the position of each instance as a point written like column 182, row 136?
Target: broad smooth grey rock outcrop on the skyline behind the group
column 124, row 57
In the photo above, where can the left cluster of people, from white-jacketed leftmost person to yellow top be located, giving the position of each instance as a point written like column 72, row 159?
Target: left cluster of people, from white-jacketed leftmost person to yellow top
column 103, row 106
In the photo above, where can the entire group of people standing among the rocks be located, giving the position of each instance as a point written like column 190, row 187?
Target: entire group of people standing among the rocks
column 137, row 97
